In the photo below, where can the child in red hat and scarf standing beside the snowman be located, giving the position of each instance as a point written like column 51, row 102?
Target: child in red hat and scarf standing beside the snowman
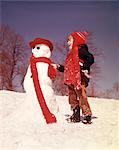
column 76, row 75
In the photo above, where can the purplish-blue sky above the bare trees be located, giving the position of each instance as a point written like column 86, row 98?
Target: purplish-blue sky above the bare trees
column 54, row 20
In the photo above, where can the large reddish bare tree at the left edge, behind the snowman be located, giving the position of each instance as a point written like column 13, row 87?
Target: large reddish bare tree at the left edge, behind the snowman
column 13, row 54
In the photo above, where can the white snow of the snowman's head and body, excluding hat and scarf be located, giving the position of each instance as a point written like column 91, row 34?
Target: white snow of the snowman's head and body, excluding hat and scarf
column 40, row 50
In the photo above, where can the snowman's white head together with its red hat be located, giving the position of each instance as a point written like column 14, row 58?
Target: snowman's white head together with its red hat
column 41, row 47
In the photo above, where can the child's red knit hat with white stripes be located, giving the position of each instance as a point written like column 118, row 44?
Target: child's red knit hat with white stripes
column 79, row 37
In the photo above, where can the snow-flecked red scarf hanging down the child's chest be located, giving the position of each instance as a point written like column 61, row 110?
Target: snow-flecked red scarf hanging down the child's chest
column 72, row 68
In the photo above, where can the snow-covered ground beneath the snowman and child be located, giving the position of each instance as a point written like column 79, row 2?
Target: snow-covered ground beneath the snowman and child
column 20, row 130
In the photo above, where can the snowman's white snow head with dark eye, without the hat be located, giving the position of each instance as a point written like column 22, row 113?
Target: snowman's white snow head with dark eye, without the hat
column 41, row 50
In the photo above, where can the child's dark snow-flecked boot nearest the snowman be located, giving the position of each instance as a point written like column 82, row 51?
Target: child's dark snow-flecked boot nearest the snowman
column 75, row 116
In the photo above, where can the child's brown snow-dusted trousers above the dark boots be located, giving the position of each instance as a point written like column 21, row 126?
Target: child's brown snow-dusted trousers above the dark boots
column 82, row 102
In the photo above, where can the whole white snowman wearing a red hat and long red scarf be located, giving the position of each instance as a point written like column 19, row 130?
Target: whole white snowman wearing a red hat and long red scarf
column 38, row 82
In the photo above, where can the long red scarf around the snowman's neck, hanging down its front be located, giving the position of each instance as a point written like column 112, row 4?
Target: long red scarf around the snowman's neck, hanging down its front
column 49, row 117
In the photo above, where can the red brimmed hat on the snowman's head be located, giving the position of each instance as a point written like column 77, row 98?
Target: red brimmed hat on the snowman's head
column 41, row 41
